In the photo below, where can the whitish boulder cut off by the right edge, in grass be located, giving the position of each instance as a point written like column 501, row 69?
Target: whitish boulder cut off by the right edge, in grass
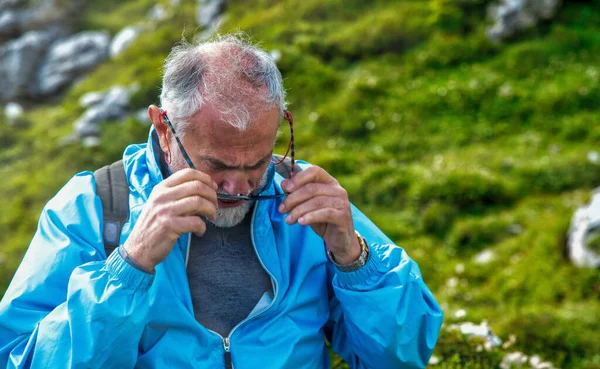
column 583, row 241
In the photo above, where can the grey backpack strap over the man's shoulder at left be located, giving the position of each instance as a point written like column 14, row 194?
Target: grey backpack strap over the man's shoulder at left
column 113, row 190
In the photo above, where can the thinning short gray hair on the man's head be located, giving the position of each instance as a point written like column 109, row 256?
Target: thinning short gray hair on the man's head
column 228, row 71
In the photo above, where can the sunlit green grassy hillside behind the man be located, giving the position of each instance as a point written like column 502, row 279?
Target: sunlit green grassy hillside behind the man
column 451, row 144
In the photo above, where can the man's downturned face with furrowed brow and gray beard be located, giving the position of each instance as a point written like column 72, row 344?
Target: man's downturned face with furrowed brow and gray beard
column 236, row 160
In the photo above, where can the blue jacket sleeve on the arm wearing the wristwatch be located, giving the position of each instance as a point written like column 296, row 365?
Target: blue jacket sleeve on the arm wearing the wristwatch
column 382, row 315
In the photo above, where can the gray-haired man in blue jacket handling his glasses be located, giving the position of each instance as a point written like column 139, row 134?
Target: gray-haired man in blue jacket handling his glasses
column 222, row 261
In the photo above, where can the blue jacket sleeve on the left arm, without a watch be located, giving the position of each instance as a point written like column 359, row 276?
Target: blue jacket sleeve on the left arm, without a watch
column 68, row 307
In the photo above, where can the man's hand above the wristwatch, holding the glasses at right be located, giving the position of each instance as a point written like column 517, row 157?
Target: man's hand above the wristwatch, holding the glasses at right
column 317, row 199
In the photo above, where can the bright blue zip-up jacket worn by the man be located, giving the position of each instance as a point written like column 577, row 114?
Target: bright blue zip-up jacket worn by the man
column 68, row 306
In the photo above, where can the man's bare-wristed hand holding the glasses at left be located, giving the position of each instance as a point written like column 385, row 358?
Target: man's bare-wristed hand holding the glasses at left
column 172, row 210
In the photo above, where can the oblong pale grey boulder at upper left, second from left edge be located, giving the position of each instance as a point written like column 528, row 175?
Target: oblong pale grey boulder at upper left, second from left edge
column 70, row 58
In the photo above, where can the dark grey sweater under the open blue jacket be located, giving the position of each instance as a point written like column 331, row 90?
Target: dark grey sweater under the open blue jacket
column 225, row 276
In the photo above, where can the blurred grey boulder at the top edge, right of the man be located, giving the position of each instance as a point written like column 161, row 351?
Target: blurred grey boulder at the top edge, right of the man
column 512, row 16
